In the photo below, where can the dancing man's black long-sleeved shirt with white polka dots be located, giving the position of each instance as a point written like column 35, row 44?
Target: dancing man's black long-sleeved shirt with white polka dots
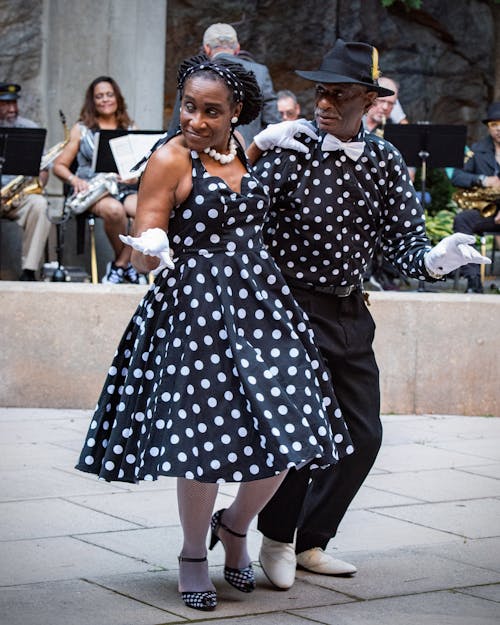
column 328, row 212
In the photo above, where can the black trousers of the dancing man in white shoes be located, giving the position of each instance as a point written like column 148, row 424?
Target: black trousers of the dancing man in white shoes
column 344, row 331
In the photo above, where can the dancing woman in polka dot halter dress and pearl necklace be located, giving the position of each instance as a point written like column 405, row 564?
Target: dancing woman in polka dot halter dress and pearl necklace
column 216, row 378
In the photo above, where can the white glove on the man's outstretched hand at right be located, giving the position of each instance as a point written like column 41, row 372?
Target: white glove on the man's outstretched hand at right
column 452, row 252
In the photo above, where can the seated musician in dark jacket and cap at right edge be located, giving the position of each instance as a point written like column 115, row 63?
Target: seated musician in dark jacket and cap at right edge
column 481, row 171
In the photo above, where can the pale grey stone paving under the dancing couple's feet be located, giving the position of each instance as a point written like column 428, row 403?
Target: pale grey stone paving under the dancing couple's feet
column 424, row 532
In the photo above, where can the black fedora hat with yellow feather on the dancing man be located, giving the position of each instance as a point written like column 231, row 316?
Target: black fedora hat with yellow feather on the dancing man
column 352, row 62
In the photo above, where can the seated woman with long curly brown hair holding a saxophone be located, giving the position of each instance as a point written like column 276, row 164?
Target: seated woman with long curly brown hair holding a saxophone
column 104, row 108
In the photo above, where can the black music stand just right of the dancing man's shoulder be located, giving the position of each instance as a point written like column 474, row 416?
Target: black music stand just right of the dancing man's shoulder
column 433, row 145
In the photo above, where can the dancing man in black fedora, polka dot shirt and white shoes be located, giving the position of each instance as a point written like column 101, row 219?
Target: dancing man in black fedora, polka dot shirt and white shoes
column 336, row 192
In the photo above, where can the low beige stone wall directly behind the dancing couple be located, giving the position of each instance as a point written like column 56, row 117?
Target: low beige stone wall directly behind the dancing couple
column 436, row 351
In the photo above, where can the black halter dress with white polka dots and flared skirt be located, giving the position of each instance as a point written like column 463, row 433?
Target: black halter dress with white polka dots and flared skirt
column 216, row 377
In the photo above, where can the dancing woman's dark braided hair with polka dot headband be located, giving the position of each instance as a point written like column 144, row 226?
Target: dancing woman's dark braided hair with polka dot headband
column 241, row 83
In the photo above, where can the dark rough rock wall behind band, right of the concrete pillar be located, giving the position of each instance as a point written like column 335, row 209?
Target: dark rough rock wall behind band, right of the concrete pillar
column 443, row 56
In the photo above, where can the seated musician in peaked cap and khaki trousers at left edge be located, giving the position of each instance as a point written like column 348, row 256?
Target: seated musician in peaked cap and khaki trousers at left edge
column 30, row 212
